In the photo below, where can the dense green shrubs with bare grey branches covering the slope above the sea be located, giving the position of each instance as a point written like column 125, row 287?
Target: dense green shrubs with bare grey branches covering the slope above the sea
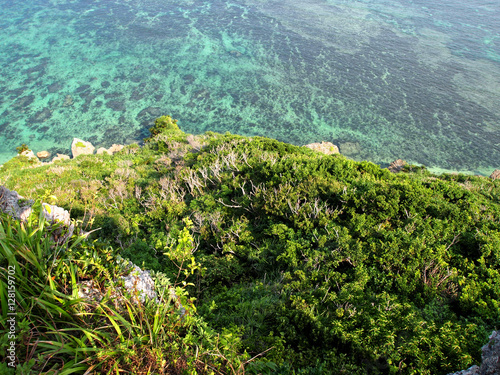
column 318, row 263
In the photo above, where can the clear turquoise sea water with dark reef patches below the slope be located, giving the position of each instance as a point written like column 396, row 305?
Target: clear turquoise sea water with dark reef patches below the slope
column 417, row 80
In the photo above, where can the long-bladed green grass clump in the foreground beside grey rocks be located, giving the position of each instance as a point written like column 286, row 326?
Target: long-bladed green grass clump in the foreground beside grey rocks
column 58, row 332
